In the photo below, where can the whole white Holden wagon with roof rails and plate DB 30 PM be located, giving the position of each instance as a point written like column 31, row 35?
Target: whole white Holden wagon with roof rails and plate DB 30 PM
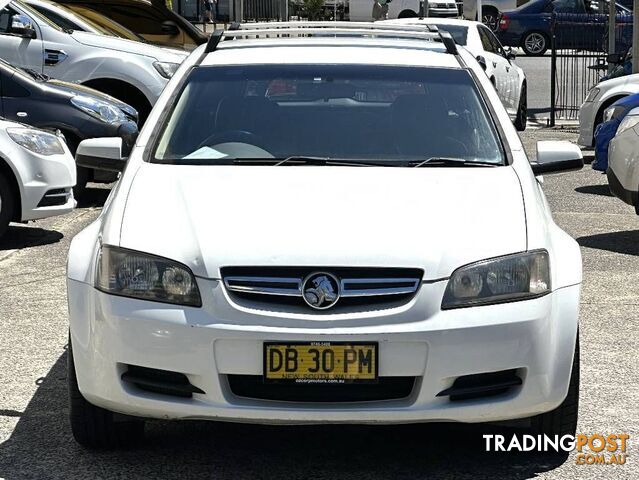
column 329, row 223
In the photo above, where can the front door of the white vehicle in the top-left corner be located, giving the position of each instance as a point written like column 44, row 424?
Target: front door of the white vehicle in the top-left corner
column 16, row 48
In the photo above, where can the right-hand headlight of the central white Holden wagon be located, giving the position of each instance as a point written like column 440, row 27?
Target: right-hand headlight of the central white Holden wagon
column 504, row 279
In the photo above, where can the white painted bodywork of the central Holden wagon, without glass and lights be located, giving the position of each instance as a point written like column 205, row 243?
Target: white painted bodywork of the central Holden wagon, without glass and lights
column 437, row 219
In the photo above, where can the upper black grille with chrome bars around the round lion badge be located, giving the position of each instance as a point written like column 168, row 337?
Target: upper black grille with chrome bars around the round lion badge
column 355, row 285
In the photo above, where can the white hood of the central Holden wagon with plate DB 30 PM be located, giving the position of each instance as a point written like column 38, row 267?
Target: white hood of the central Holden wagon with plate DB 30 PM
column 438, row 219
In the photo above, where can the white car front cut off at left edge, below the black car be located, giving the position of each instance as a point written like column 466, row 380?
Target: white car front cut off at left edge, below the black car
column 37, row 173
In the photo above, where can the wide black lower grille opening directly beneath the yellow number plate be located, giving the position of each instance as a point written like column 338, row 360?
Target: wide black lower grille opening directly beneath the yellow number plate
column 387, row 388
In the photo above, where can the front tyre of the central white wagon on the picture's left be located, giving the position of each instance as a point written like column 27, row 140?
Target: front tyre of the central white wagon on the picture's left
column 94, row 427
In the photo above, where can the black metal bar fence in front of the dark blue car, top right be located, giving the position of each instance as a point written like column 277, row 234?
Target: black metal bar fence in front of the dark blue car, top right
column 579, row 48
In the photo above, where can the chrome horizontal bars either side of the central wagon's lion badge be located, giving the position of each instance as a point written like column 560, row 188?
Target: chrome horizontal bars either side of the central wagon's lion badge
column 349, row 287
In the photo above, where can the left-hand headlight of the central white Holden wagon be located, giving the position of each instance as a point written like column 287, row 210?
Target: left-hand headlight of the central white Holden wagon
column 147, row 277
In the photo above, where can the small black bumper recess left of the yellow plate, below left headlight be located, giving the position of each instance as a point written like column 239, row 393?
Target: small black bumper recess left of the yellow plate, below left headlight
column 163, row 382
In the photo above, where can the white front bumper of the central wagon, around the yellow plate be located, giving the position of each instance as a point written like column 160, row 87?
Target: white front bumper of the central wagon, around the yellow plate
column 536, row 337
